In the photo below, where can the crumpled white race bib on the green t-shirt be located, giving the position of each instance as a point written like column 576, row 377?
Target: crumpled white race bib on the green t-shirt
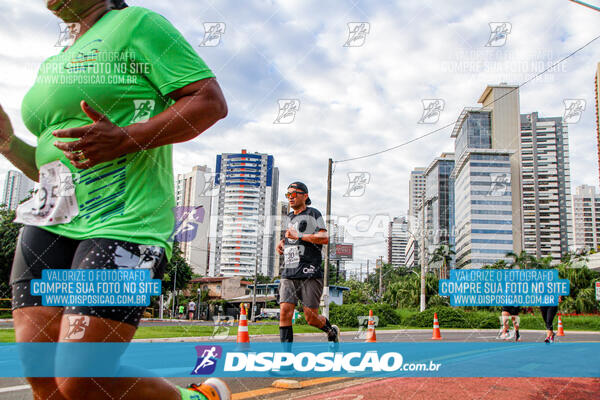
column 53, row 201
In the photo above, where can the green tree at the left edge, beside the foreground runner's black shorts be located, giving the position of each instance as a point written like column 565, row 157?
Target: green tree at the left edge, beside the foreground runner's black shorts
column 8, row 241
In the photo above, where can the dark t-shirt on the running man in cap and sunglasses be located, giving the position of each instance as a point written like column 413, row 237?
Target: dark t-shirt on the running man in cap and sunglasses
column 302, row 260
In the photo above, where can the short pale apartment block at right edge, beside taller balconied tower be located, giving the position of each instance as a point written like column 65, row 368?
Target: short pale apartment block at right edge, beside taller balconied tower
column 586, row 218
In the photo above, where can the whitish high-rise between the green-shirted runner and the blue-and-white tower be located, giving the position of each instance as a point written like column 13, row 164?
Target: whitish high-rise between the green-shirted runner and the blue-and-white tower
column 195, row 189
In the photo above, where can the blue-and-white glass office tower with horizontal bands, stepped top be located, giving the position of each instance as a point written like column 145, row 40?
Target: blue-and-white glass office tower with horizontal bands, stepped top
column 483, row 198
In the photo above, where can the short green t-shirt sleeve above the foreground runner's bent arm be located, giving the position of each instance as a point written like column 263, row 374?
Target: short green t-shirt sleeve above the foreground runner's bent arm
column 170, row 61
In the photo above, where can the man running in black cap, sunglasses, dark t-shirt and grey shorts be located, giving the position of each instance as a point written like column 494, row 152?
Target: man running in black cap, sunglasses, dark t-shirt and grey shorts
column 302, row 274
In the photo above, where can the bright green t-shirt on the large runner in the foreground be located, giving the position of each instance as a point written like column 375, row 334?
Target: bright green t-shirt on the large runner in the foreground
column 123, row 66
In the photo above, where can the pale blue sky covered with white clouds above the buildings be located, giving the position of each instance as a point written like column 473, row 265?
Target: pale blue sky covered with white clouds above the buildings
column 355, row 97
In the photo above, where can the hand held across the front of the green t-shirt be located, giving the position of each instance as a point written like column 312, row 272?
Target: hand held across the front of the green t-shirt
column 98, row 142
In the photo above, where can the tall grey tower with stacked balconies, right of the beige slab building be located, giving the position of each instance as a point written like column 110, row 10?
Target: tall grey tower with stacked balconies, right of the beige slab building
column 546, row 186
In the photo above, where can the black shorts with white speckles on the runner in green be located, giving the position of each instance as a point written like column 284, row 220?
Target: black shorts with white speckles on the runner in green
column 38, row 249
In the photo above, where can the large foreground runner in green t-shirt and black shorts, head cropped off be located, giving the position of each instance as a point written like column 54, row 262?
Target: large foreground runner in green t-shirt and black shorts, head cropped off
column 106, row 111
